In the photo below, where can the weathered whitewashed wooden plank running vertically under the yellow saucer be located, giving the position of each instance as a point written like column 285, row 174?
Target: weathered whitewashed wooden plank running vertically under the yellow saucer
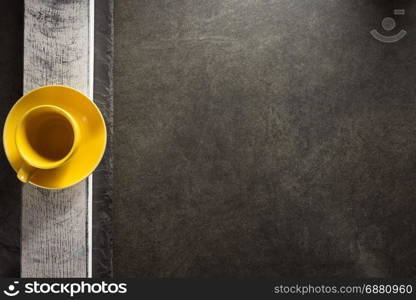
column 57, row 50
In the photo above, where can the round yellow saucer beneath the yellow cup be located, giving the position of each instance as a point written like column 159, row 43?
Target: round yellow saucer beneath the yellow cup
column 93, row 135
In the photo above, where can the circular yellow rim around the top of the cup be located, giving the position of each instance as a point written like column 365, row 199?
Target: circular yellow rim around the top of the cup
column 54, row 164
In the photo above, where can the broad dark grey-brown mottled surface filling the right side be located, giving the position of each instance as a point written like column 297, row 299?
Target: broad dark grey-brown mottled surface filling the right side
column 257, row 138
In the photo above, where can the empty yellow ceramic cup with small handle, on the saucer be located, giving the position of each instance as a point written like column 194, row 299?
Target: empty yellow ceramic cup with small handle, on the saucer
column 46, row 137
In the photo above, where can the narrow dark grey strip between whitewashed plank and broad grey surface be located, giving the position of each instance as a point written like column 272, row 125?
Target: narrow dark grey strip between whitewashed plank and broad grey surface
column 103, row 175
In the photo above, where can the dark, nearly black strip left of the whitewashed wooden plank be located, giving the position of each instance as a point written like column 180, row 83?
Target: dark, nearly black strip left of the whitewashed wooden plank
column 11, row 84
